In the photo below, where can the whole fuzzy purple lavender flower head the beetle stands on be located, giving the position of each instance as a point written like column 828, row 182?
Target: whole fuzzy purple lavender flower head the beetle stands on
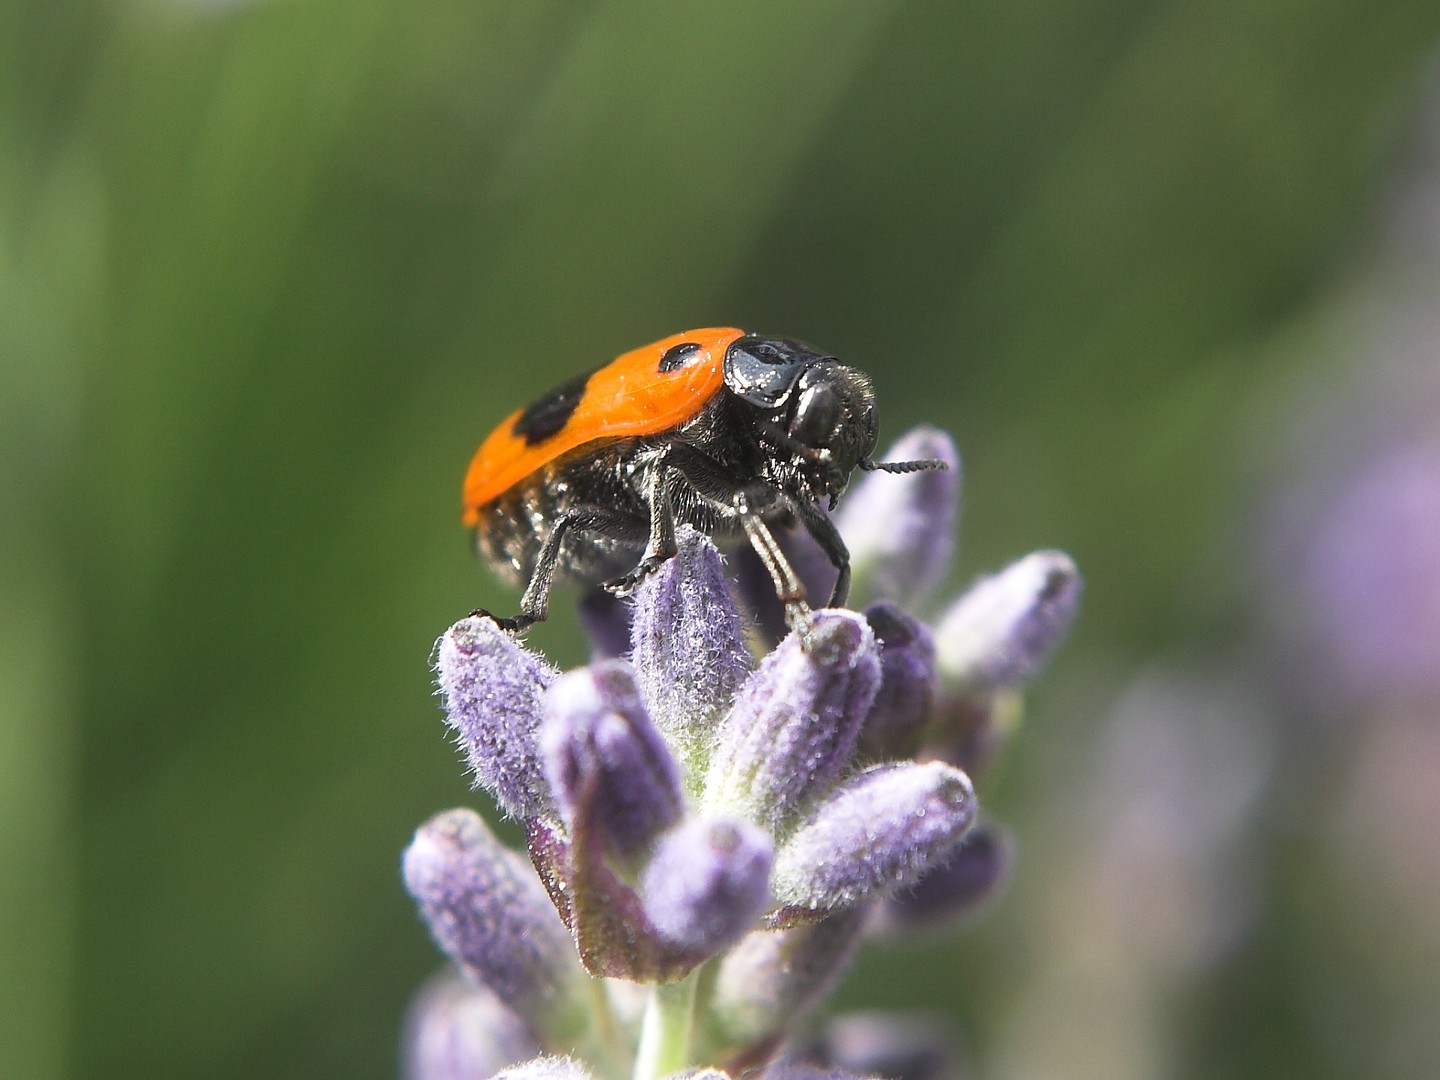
column 719, row 830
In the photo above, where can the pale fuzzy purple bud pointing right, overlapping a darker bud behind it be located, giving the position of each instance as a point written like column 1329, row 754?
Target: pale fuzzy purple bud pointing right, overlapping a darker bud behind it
column 881, row 830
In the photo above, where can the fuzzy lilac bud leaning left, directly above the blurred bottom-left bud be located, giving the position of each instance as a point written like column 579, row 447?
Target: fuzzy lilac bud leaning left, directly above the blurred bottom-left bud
column 490, row 915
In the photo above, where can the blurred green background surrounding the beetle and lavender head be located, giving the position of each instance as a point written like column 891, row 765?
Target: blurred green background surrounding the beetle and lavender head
column 269, row 273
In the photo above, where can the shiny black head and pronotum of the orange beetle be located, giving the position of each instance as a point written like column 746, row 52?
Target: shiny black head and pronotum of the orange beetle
column 816, row 415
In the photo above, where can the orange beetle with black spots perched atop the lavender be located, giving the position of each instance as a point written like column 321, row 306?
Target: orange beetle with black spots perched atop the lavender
column 716, row 428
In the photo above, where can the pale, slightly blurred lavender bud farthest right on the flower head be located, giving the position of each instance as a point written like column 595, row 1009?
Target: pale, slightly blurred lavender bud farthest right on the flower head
column 1003, row 630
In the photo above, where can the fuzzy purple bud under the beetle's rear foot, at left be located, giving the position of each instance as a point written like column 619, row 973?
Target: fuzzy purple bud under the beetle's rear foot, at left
column 492, row 689
